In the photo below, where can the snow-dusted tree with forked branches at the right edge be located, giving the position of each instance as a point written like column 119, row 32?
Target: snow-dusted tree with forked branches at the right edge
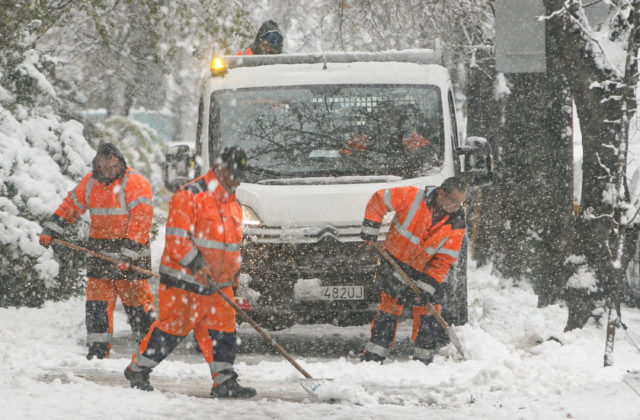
column 601, row 68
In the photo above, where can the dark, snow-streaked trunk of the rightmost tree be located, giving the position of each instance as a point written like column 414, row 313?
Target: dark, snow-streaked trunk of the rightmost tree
column 594, row 89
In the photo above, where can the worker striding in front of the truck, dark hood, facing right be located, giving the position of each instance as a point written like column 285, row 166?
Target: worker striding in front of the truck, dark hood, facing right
column 203, row 237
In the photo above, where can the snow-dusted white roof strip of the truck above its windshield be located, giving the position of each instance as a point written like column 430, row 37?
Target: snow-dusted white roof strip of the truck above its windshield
column 394, row 67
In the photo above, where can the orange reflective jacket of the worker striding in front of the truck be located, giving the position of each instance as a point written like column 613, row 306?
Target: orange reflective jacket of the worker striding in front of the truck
column 204, row 227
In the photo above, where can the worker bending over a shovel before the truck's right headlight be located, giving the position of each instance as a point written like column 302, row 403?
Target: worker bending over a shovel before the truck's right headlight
column 424, row 238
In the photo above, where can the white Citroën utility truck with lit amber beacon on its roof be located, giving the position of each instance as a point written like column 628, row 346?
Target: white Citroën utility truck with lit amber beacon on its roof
column 322, row 133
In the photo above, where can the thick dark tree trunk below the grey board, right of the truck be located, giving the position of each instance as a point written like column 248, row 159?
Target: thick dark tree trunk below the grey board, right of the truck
column 536, row 188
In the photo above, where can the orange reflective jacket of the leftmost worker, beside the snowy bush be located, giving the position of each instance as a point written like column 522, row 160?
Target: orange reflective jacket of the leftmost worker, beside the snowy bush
column 121, row 210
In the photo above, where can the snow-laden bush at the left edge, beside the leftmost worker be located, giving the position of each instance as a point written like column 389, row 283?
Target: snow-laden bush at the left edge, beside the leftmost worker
column 41, row 158
